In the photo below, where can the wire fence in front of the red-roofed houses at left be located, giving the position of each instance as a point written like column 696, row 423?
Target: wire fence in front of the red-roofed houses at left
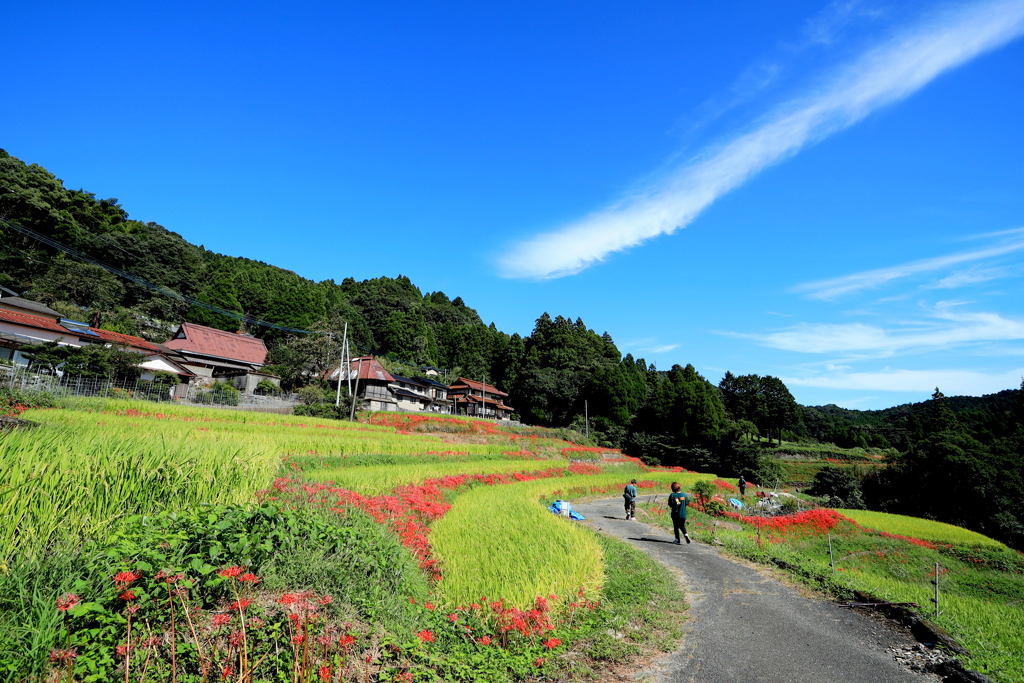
column 62, row 386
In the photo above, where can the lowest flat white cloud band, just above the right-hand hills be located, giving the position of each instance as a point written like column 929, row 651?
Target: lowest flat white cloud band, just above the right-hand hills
column 953, row 382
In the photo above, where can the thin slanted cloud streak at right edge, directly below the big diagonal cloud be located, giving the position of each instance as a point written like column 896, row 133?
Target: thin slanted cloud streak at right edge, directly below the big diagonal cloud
column 837, row 287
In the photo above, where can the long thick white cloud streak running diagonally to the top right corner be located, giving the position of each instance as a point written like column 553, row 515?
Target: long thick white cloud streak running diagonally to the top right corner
column 881, row 76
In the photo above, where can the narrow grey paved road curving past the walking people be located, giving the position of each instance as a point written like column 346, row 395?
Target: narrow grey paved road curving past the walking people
column 744, row 626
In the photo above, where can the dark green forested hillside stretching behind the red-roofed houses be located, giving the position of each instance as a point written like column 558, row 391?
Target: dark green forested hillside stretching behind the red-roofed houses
column 968, row 459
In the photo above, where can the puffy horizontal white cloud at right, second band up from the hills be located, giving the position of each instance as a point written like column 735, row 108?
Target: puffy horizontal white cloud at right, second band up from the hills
column 950, row 328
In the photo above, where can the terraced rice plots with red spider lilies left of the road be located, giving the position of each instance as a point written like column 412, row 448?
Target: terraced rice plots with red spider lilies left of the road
column 176, row 544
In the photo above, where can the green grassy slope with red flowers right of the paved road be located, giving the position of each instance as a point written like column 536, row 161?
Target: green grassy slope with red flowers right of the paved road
column 880, row 558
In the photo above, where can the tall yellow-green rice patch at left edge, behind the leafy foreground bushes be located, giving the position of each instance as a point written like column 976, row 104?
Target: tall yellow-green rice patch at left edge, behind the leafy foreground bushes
column 61, row 484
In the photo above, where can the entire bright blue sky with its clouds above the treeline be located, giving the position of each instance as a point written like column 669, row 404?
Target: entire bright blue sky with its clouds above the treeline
column 830, row 193
